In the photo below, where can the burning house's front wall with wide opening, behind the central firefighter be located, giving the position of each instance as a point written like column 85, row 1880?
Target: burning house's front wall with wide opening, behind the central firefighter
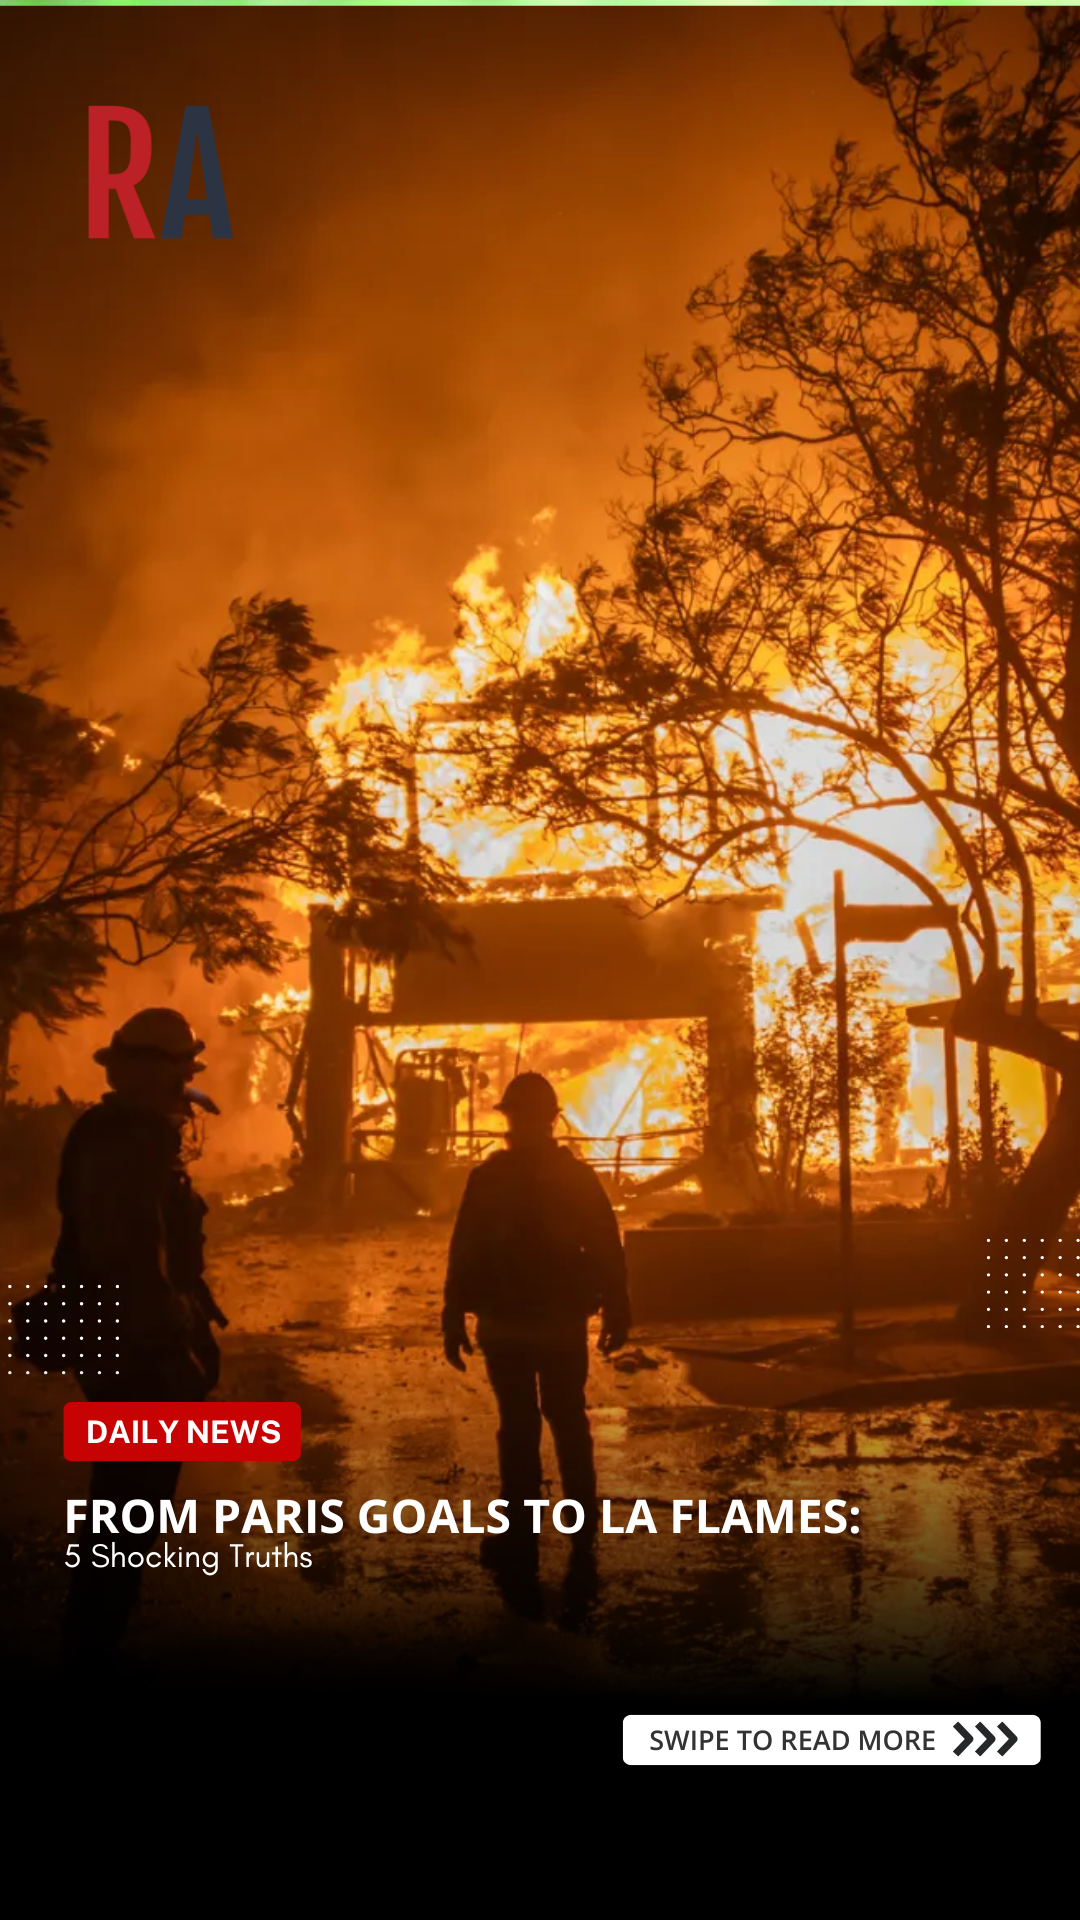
column 593, row 990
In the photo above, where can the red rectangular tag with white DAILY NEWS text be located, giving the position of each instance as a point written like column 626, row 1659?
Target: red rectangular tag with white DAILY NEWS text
column 182, row 1429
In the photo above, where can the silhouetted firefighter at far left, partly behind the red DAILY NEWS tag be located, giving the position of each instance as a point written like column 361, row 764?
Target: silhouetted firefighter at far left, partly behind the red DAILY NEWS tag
column 128, row 1276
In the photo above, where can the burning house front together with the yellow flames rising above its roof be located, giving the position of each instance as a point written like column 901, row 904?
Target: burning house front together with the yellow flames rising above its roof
column 643, row 1017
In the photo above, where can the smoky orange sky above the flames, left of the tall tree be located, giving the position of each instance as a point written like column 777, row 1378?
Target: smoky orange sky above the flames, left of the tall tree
column 456, row 235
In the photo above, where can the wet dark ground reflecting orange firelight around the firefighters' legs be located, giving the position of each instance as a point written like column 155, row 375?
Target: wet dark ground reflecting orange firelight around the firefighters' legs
column 962, row 1587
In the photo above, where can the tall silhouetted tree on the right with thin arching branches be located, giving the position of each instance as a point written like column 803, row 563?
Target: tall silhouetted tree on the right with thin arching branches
column 862, row 523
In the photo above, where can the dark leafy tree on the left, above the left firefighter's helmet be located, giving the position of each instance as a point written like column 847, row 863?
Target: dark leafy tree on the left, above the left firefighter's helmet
column 110, row 855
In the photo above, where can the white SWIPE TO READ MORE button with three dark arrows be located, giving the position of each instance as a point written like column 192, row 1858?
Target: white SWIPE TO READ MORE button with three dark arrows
column 981, row 1740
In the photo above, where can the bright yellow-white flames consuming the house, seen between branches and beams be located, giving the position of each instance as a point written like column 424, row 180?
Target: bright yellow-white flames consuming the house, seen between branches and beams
column 414, row 694
